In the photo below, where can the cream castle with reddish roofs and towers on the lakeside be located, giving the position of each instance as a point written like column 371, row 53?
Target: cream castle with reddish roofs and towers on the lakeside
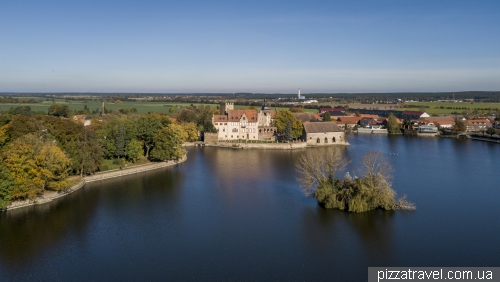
column 247, row 124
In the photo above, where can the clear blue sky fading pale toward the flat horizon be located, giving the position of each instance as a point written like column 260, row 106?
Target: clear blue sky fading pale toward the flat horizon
column 249, row 46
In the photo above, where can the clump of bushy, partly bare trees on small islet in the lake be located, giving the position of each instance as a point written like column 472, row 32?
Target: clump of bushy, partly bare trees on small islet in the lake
column 371, row 190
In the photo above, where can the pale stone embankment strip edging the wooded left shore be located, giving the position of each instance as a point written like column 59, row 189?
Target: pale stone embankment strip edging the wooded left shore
column 51, row 195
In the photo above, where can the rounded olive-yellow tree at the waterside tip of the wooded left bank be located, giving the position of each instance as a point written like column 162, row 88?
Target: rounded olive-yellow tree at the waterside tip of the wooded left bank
column 168, row 143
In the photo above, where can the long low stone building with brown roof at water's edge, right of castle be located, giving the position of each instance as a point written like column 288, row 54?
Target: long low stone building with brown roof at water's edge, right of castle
column 323, row 133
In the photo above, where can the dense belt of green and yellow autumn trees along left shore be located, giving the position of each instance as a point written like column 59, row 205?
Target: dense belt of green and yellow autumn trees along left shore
column 39, row 152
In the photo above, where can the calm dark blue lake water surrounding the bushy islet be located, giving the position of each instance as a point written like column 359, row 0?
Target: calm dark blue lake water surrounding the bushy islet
column 229, row 214
